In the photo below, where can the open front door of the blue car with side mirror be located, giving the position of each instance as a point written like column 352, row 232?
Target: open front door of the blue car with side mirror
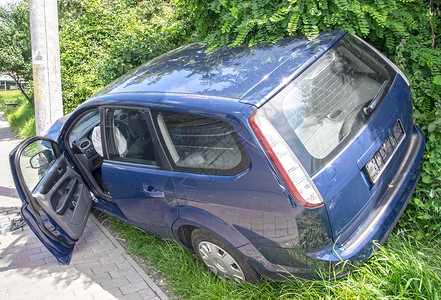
column 56, row 203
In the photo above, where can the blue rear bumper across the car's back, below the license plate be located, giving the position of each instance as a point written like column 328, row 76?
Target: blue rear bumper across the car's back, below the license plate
column 377, row 227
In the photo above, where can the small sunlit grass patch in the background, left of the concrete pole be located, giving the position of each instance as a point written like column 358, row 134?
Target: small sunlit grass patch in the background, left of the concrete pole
column 21, row 116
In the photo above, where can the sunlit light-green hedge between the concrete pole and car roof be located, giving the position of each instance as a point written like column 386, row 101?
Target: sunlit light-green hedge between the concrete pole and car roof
column 99, row 40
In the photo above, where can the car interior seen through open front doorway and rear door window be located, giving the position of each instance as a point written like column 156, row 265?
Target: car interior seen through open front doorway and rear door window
column 127, row 138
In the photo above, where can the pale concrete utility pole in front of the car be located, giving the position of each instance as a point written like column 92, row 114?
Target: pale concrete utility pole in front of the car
column 43, row 15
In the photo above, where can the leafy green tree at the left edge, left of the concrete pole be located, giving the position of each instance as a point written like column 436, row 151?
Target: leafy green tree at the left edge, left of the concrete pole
column 15, row 44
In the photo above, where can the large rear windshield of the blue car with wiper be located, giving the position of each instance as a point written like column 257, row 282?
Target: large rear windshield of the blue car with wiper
column 324, row 107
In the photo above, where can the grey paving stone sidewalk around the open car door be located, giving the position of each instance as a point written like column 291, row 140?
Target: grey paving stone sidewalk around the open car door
column 100, row 268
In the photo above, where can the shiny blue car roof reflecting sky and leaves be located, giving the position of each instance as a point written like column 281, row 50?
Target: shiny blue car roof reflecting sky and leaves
column 244, row 74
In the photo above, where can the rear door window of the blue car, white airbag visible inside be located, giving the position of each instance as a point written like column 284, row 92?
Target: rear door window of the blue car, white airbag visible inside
column 128, row 137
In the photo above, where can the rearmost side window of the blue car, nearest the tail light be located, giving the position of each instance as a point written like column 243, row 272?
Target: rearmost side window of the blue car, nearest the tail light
column 201, row 144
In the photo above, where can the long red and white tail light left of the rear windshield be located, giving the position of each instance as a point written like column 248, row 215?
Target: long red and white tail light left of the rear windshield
column 290, row 170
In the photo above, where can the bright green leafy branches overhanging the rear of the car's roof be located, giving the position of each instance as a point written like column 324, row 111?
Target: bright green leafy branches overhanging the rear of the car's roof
column 264, row 21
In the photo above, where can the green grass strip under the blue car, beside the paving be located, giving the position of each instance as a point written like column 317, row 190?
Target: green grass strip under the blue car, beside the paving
column 401, row 269
